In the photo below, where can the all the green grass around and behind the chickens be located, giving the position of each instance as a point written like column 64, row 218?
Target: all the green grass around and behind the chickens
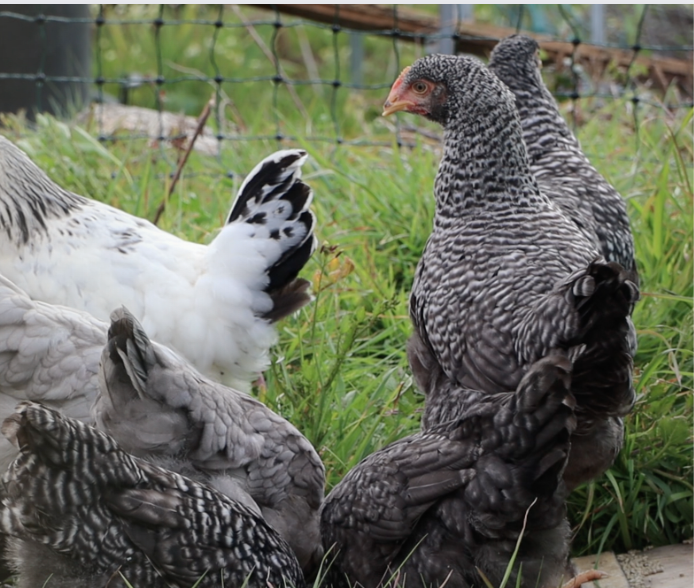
column 340, row 372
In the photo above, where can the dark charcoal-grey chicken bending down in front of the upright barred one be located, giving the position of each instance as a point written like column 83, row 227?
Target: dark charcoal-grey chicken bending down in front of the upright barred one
column 432, row 508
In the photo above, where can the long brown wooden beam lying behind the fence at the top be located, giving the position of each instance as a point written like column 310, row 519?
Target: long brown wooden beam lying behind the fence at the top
column 479, row 38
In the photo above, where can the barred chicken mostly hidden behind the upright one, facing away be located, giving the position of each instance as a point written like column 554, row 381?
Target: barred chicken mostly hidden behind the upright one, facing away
column 562, row 170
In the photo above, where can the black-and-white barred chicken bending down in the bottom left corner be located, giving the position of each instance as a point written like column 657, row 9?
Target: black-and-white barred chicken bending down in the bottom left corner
column 82, row 513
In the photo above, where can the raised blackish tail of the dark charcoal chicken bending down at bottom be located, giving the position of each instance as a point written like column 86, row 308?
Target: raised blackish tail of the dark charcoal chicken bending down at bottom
column 528, row 442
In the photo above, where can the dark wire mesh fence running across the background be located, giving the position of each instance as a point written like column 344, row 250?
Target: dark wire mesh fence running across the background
column 322, row 75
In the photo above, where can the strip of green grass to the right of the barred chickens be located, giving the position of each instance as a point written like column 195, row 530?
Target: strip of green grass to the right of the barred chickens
column 646, row 498
